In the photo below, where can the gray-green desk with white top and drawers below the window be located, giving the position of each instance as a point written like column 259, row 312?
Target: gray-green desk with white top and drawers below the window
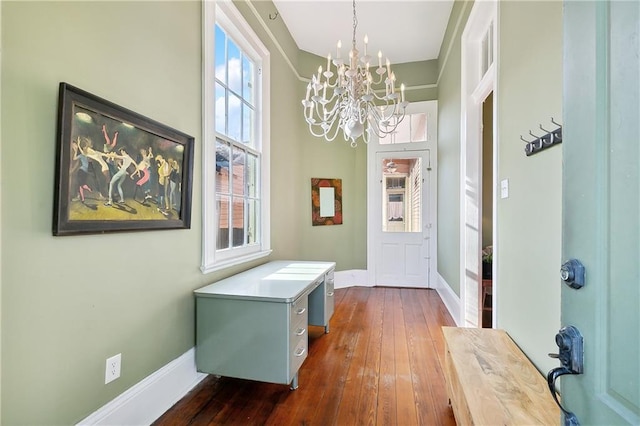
column 254, row 325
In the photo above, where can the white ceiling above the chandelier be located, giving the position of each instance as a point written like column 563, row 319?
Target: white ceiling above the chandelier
column 405, row 31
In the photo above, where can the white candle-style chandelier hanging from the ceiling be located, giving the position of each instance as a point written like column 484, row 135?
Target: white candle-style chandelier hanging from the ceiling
column 356, row 101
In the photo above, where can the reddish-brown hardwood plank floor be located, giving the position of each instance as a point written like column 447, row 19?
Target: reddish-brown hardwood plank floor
column 381, row 364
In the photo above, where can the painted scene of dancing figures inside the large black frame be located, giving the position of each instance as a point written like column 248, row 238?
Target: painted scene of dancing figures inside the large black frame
column 94, row 175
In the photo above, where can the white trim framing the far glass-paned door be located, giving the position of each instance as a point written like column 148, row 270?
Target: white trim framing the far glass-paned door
column 431, row 145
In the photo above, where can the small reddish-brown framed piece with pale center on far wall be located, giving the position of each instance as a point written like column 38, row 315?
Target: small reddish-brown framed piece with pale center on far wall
column 326, row 201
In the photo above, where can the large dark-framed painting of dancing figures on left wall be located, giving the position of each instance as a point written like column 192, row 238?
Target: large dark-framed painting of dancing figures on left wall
column 117, row 170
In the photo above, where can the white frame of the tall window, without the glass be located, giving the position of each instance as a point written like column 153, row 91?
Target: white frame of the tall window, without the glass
column 225, row 14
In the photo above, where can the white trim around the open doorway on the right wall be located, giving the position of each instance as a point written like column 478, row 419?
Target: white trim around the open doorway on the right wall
column 474, row 90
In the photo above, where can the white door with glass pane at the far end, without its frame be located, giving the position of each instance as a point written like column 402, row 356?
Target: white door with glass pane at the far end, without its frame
column 401, row 219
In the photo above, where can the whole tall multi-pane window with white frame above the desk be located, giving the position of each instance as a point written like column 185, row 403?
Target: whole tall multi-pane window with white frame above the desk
column 235, row 200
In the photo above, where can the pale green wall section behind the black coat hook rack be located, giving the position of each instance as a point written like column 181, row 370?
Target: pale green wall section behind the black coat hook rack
column 529, row 93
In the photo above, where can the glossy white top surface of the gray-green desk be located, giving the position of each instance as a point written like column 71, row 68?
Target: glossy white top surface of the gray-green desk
column 278, row 281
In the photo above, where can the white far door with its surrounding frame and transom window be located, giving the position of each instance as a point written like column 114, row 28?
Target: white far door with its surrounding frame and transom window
column 401, row 194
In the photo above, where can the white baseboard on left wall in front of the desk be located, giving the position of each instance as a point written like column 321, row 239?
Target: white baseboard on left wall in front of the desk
column 148, row 399
